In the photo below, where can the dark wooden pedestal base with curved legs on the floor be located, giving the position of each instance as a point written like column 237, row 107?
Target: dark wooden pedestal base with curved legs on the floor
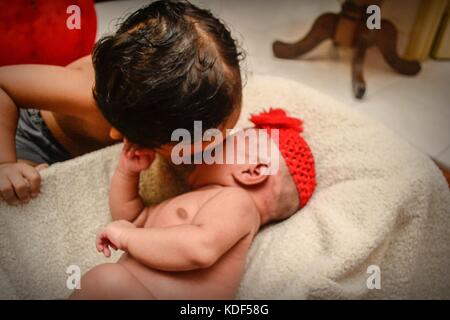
column 349, row 28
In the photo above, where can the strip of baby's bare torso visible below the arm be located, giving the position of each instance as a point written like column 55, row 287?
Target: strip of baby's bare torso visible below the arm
column 221, row 281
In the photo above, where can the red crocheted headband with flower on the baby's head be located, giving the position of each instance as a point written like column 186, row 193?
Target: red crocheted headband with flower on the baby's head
column 294, row 149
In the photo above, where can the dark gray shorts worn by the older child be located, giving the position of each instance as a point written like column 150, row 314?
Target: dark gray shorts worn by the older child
column 35, row 142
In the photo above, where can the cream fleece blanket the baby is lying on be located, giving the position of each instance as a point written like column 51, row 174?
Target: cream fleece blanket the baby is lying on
column 378, row 202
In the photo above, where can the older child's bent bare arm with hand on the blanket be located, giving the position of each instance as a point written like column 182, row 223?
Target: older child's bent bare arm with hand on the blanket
column 59, row 89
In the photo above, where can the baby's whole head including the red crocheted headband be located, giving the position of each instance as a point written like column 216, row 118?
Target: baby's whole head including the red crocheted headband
column 276, row 167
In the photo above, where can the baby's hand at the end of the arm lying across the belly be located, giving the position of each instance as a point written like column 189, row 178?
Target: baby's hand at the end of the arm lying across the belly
column 113, row 236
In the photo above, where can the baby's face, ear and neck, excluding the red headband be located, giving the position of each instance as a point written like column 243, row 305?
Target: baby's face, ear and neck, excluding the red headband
column 254, row 163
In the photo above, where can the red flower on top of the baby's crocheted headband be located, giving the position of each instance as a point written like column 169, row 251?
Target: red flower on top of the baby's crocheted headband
column 276, row 118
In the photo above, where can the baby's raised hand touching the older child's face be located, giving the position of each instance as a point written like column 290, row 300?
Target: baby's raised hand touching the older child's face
column 133, row 159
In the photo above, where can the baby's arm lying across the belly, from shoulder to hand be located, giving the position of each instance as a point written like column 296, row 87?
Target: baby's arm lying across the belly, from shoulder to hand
column 218, row 226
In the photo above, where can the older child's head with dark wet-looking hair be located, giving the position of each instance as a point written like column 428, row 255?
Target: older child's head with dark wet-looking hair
column 168, row 64
